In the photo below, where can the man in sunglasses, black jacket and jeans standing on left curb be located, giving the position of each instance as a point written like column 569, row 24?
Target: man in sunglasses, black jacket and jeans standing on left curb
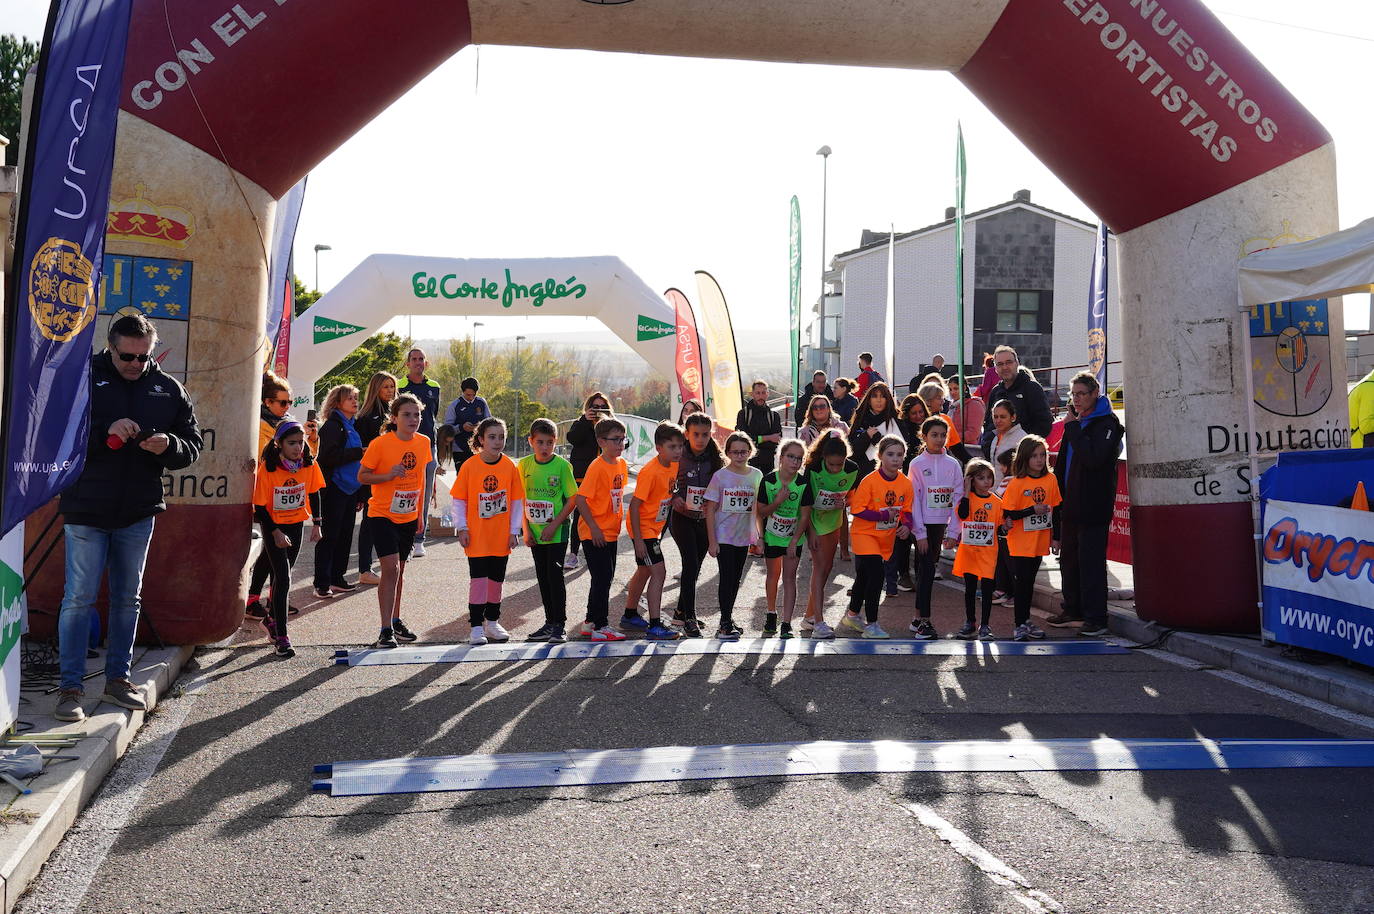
column 142, row 425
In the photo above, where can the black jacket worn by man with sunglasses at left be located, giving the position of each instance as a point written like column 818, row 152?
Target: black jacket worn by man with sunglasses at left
column 122, row 487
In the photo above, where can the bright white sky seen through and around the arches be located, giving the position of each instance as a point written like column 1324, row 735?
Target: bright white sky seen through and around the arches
column 678, row 166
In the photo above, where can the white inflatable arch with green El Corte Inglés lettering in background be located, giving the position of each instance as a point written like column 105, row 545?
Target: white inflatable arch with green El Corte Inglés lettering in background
column 385, row 287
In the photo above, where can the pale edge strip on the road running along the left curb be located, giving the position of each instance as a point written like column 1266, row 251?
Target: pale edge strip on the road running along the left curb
column 68, row 875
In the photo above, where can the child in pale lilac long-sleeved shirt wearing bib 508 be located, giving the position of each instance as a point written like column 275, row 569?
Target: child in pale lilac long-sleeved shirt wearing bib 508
column 938, row 486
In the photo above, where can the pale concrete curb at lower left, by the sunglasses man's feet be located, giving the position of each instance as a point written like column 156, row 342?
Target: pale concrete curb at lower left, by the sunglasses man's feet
column 65, row 788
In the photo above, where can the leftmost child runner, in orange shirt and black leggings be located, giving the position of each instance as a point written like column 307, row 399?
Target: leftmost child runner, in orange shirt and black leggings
column 285, row 493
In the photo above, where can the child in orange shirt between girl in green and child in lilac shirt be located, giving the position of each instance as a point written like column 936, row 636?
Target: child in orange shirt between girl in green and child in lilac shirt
column 881, row 509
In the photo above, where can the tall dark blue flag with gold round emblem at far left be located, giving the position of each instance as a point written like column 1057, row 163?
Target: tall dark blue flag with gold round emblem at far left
column 52, row 307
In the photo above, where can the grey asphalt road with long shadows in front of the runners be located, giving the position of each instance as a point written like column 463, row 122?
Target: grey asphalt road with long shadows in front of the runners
column 212, row 810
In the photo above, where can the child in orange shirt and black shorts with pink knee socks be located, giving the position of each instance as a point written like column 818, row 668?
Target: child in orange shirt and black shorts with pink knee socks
column 488, row 509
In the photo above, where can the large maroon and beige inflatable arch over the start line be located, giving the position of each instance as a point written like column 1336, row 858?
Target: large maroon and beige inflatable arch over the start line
column 1151, row 111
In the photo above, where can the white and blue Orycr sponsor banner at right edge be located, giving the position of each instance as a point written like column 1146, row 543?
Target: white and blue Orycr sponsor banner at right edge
column 1320, row 578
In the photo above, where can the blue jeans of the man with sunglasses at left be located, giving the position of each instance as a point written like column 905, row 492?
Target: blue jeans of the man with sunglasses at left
column 90, row 552
